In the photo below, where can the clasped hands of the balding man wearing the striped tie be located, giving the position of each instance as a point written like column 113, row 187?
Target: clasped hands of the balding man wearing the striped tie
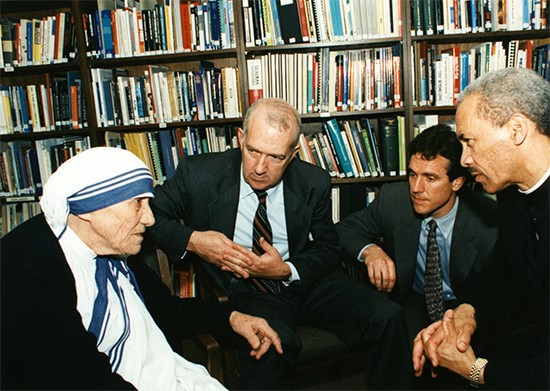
column 219, row 250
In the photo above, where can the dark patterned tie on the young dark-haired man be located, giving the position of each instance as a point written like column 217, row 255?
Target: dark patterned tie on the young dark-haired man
column 433, row 284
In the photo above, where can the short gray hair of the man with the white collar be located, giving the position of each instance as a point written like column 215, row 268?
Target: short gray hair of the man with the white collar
column 505, row 92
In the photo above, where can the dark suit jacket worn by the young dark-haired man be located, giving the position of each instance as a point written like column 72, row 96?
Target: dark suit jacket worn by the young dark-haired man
column 391, row 217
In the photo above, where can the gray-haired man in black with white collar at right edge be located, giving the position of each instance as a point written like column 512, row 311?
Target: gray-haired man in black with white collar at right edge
column 503, row 122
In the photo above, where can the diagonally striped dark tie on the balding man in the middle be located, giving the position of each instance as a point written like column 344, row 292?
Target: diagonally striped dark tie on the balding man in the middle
column 262, row 228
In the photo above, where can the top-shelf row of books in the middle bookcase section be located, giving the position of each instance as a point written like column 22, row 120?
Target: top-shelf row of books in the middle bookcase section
column 277, row 22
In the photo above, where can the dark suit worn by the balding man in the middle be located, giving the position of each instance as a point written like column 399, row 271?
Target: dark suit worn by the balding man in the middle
column 204, row 194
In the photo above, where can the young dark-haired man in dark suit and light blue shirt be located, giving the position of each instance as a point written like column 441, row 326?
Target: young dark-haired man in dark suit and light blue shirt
column 399, row 216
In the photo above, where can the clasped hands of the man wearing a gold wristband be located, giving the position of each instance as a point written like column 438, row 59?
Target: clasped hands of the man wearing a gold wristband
column 446, row 343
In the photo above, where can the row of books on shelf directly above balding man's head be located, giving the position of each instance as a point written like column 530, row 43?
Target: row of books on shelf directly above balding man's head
column 329, row 81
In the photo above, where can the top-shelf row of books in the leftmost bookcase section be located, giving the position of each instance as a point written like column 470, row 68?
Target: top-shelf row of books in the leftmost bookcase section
column 49, row 40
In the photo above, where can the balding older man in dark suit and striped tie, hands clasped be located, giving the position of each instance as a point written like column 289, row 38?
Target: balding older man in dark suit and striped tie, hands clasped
column 214, row 195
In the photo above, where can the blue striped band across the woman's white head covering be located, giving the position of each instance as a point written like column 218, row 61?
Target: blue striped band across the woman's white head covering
column 112, row 191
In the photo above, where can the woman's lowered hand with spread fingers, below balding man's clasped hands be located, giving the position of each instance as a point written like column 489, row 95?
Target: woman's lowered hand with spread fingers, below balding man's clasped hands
column 257, row 332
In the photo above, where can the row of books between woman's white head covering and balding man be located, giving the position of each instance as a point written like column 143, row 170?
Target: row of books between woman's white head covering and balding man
column 161, row 150
